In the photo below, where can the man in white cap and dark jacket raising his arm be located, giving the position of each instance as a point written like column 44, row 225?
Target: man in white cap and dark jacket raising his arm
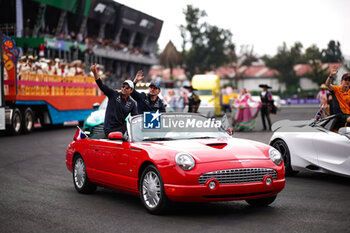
column 119, row 105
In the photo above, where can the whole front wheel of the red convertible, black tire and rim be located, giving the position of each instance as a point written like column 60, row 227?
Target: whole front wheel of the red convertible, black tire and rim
column 152, row 191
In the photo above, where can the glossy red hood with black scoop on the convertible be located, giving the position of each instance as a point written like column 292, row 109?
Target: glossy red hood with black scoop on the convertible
column 209, row 150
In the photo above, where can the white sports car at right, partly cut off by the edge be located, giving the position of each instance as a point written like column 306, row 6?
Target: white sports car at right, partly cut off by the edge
column 313, row 145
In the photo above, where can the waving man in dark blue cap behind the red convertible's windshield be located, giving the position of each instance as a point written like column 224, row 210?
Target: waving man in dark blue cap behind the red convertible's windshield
column 148, row 102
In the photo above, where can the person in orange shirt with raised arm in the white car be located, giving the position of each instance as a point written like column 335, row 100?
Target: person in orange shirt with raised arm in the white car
column 342, row 94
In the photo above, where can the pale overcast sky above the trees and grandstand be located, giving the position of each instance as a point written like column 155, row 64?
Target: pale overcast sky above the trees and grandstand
column 264, row 24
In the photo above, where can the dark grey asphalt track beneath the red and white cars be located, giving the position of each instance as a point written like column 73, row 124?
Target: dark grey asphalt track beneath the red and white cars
column 37, row 195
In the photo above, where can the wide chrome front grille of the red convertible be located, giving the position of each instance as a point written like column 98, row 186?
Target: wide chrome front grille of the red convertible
column 240, row 175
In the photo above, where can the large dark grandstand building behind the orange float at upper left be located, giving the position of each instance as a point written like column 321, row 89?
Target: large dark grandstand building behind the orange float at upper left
column 118, row 37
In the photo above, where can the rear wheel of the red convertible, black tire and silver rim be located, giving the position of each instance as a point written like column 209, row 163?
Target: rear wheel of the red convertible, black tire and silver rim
column 80, row 179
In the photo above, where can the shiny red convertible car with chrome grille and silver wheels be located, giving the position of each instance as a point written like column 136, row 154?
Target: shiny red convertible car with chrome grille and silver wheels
column 187, row 158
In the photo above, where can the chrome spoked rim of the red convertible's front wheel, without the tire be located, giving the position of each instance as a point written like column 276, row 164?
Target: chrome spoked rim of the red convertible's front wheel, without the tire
column 151, row 189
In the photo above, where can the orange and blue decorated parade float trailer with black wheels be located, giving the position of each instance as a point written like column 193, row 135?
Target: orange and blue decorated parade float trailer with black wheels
column 48, row 99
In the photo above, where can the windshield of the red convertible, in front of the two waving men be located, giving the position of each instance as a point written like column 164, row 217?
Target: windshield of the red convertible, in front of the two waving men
column 174, row 126
